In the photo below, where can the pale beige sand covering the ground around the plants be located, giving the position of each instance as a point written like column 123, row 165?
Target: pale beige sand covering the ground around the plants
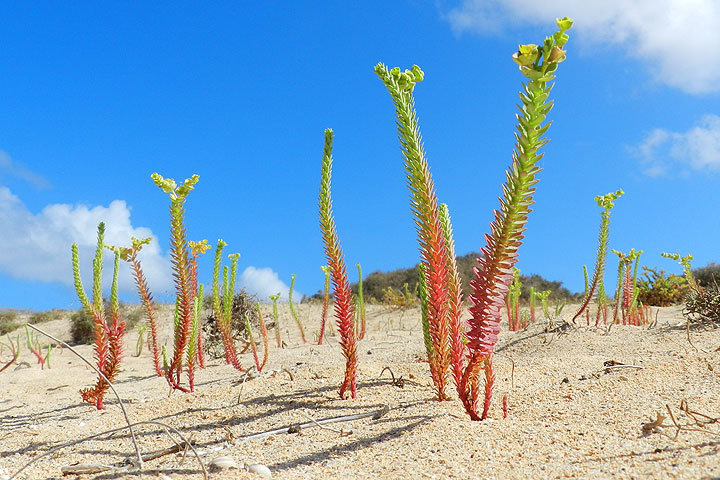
column 568, row 416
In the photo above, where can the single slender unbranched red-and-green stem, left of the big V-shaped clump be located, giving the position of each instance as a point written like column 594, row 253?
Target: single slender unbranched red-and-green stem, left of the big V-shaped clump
column 344, row 307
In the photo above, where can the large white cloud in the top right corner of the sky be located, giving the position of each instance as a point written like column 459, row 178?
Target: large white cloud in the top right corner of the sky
column 678, row 39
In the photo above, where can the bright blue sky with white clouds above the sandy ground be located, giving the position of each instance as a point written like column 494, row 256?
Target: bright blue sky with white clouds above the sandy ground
column 97, row 97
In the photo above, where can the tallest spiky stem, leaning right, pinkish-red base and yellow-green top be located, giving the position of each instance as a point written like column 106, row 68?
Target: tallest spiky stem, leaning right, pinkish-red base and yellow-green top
column 494, row 272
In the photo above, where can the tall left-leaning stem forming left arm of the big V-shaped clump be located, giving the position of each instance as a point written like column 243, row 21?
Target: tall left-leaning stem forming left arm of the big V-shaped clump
column 424, row 205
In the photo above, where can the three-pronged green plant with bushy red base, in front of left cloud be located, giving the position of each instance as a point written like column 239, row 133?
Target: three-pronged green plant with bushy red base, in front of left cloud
column 108, row 329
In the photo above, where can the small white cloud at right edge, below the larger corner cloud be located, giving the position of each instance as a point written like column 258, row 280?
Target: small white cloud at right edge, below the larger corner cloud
column 697, row 148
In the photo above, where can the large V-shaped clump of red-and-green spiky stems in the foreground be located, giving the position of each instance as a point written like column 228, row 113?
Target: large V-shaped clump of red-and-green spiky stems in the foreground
column 441, row 298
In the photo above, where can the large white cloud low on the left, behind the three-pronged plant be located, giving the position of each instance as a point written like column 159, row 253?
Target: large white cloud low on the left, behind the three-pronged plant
column 37, row 246
